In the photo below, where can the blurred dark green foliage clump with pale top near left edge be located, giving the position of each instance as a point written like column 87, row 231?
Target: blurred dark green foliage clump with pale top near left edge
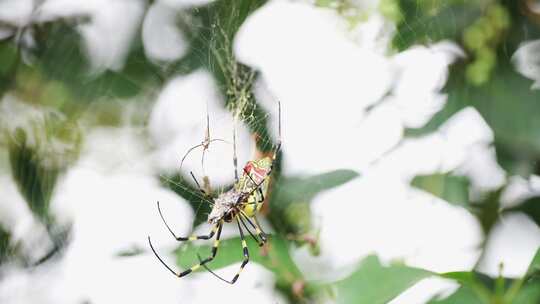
column 38, row 153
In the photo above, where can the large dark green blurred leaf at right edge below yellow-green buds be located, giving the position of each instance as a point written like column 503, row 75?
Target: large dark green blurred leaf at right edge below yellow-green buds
column 508, row 105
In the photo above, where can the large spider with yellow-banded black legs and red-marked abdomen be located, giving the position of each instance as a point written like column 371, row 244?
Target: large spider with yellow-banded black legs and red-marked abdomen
column 240, row 204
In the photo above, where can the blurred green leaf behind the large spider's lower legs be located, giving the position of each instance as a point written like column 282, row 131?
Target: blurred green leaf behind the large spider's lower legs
column 274, row 256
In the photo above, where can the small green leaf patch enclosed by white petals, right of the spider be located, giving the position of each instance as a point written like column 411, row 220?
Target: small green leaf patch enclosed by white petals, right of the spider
column 451, row 188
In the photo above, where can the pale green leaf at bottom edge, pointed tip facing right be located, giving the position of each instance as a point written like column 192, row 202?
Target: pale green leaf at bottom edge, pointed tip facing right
column 374, row 283
